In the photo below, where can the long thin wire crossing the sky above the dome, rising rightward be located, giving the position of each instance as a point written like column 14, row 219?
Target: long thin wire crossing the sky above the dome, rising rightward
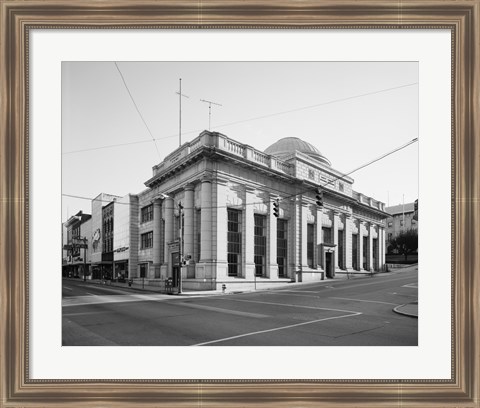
column 255, row 118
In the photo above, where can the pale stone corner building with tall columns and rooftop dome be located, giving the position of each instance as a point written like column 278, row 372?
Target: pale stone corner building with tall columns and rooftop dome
column 220, row 212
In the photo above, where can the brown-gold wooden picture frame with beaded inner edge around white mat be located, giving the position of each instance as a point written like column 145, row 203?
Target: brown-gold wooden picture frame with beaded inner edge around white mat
column 18, row 17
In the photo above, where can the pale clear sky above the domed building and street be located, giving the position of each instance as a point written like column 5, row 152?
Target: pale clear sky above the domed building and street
column 353, row 112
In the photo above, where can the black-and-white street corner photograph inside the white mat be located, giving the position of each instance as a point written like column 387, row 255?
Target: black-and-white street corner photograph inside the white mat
column 240, row 203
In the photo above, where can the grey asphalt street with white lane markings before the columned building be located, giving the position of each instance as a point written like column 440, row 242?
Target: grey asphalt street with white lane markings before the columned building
column 354, row 312
